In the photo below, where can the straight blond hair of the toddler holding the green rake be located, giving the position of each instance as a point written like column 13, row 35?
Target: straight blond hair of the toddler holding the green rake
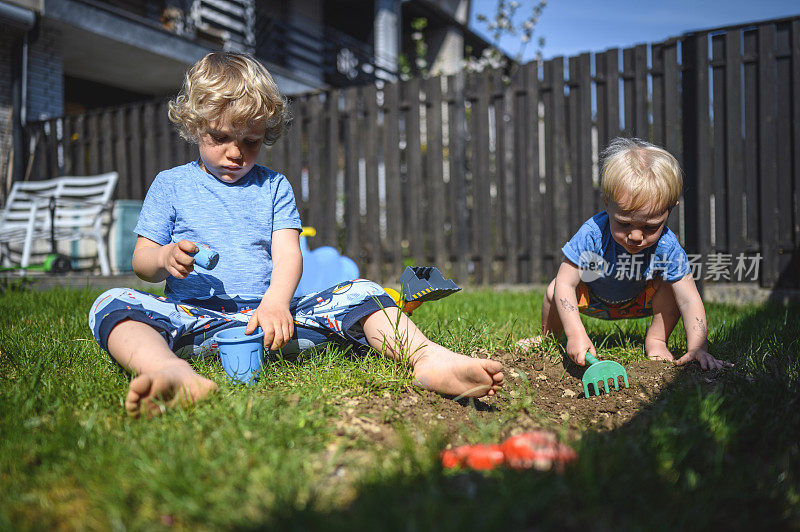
column 642, row 175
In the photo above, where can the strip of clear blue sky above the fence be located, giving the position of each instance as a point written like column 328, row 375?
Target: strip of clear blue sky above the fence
column 574, row 26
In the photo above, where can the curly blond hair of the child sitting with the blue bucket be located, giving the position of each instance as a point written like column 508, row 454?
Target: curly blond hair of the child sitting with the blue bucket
column 230, row 85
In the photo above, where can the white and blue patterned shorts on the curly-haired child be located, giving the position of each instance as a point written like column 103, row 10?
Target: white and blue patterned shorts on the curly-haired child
column 189, row 326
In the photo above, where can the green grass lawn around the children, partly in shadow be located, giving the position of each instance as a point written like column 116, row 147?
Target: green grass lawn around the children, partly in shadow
column 268, row 456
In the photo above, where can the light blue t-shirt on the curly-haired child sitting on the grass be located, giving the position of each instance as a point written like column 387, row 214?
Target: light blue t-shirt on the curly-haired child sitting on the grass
column 234, row 219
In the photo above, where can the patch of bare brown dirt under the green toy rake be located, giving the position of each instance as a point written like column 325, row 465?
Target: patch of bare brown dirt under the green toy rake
column 540, row 393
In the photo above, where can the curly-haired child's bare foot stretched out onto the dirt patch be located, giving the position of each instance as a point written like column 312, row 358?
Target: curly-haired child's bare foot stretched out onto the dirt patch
column 440, row 370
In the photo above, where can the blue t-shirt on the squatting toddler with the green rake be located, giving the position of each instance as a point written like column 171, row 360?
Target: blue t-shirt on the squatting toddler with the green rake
column 613, row 274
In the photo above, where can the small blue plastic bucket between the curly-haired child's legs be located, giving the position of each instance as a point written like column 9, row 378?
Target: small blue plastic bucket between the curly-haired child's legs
column 241, row 354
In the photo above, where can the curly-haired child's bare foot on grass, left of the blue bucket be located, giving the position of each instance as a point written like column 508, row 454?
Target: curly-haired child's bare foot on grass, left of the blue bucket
column 174, row 384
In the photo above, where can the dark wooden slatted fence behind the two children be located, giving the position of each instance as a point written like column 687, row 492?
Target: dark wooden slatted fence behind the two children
column 487, row 175
